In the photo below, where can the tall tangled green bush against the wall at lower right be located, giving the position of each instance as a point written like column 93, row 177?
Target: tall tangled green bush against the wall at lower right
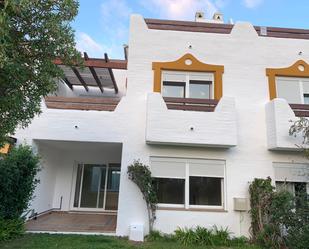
column 278, row 219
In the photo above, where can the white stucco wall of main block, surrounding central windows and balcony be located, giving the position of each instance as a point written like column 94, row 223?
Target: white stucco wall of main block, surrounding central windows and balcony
column 245, row 57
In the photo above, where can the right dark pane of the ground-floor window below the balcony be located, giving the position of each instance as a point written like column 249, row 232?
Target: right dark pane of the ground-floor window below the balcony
column 205, row 191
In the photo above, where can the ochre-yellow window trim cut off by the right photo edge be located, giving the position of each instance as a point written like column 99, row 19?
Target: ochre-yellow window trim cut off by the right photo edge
column 299, row 69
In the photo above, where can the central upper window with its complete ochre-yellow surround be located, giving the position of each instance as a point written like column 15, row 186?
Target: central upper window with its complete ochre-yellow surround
column 188, row 77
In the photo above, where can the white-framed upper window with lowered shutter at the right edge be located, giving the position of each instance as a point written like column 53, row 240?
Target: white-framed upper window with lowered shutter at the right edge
column 294, row 90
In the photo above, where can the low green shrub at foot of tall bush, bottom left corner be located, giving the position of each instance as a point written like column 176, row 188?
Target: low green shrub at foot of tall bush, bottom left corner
column 10, row 229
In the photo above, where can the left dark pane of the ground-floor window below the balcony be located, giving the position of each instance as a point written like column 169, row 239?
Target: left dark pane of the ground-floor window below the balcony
column 170, row 191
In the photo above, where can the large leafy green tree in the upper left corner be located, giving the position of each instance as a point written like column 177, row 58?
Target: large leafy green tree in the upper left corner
column 33, row 33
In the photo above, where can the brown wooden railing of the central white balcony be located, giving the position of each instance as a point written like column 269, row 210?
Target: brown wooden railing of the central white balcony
column 190, row 104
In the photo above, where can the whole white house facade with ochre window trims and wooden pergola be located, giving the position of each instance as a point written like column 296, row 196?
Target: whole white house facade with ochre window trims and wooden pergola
column 206, row 105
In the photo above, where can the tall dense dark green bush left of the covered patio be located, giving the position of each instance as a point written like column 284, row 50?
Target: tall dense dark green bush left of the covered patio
column 18, row 170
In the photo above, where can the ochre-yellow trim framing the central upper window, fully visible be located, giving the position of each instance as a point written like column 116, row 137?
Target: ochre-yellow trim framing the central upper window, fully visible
column 189, row 63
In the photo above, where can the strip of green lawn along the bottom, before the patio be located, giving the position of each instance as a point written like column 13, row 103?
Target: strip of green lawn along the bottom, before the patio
column 48, row 241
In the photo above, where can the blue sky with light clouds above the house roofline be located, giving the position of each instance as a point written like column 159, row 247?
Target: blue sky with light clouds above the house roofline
column 103, row 25
